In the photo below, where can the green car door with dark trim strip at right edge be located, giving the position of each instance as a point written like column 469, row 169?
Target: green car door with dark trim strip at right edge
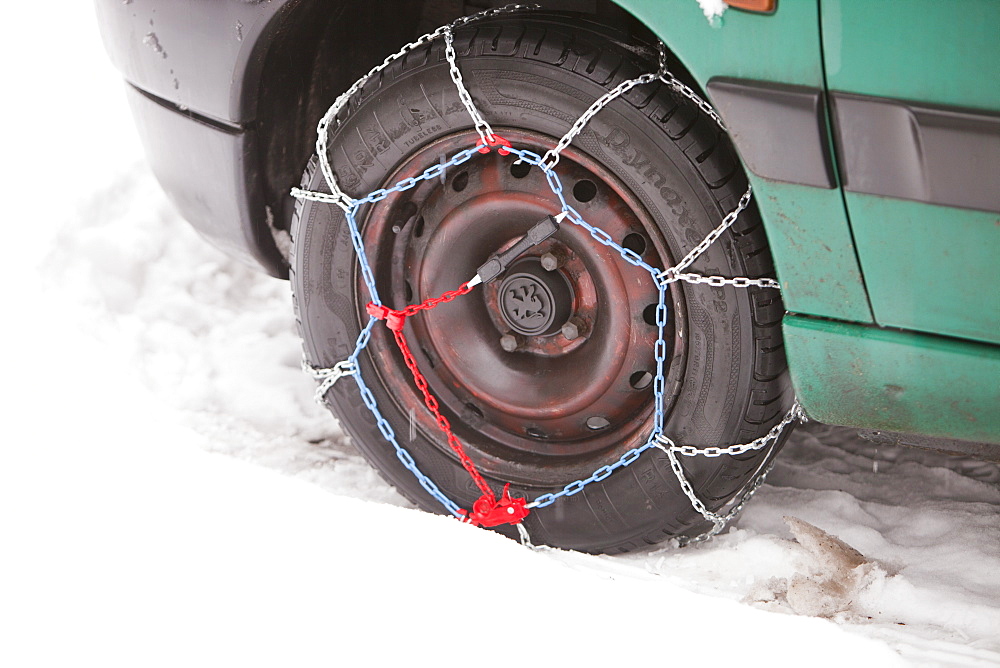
column 915, row 103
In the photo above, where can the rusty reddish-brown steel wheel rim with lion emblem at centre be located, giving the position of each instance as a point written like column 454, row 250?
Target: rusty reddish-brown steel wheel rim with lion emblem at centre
column 532, row 404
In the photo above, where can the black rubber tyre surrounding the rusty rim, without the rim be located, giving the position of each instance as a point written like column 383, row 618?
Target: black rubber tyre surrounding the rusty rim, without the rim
column 731, row 384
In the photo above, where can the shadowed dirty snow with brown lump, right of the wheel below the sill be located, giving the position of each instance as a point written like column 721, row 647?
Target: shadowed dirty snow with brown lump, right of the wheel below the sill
column 929, row 577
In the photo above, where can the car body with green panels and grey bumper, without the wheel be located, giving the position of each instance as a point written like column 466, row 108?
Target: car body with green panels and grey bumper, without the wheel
column 869, row 129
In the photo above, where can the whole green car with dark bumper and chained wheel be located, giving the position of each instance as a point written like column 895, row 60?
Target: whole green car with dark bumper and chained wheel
column 600, row 201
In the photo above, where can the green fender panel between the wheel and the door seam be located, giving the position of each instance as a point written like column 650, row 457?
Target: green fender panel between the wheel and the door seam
column 807, row 226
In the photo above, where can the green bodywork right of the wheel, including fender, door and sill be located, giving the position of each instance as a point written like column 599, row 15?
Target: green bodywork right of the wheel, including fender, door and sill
column 894, row 303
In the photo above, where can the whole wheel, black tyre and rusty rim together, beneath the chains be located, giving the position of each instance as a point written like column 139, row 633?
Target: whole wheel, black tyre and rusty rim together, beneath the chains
column 653, row 171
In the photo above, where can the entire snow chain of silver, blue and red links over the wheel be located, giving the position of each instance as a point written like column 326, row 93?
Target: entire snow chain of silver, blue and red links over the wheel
column 490, row 510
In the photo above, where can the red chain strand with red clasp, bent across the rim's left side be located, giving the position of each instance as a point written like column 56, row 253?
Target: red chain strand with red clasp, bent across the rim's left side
column 487, row 511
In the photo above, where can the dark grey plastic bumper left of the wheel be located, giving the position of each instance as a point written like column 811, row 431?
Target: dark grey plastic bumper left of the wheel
column 194, row 69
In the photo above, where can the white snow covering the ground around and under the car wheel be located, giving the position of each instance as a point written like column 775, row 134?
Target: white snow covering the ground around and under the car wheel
column 172, row 496
